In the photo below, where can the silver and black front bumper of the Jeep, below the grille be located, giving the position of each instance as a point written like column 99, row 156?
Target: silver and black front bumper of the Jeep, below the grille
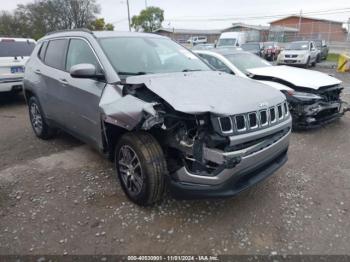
column 251, row 169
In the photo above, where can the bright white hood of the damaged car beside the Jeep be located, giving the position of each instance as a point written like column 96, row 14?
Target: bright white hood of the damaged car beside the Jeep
column 296, row 76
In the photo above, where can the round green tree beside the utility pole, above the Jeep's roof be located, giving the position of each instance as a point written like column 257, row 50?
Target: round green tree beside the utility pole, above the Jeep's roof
column 149, row 19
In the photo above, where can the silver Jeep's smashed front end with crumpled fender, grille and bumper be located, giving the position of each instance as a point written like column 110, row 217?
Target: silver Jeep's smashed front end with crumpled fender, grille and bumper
column 207, row 154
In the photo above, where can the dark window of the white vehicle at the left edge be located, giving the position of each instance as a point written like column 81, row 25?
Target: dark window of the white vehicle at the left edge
column 13, row 49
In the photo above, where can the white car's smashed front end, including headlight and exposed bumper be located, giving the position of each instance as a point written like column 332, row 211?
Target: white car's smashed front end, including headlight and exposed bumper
column 311, row 109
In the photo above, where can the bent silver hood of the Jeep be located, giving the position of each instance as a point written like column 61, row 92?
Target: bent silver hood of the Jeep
column 209, row 91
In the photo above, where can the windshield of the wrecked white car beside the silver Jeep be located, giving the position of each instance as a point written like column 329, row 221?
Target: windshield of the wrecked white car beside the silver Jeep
column 244, row 61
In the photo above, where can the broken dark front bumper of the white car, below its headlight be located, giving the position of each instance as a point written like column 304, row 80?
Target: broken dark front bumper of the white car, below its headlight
column 318, row 114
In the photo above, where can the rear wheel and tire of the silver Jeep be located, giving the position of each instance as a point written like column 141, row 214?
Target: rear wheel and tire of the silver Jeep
column 37, row 119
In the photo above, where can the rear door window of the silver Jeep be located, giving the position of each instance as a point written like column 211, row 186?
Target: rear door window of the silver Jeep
column 55, row 53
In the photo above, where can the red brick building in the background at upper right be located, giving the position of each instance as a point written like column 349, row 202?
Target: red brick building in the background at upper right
column 312, row 28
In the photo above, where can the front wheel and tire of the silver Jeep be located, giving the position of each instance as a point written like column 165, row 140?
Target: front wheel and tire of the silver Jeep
column 142, row 178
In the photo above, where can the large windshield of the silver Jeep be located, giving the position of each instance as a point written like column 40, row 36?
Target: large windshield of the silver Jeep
column 141, row 55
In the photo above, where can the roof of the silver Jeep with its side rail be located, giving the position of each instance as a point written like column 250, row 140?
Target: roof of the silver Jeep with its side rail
column 98, row 34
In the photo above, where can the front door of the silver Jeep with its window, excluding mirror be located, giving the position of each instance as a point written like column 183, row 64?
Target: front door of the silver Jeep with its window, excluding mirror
column 82, row 96
